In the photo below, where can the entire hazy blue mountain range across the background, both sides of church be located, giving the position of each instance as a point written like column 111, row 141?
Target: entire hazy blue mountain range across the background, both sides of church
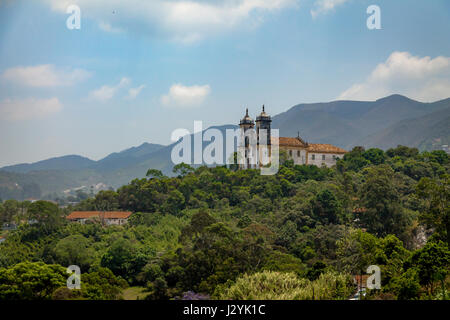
column 384, row 123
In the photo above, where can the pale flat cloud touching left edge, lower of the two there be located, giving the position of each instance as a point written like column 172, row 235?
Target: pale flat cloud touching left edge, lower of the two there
column 22, row 109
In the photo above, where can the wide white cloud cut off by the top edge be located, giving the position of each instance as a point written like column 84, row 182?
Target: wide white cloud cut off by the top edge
column 181, row 20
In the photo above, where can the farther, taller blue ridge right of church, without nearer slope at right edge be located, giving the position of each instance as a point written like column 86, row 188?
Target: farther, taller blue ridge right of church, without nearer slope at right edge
column 350, row 123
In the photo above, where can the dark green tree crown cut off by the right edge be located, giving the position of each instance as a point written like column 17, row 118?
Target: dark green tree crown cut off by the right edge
column 436, row 212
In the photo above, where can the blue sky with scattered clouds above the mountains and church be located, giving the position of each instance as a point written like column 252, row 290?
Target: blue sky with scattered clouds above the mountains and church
column 137, row 70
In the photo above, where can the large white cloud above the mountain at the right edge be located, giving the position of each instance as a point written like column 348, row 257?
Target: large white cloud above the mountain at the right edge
column 423, row 79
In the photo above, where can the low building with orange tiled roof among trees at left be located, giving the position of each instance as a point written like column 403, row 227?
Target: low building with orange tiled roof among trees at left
column 104, row 217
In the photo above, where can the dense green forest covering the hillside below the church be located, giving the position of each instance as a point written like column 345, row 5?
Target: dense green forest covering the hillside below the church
column 223, row 233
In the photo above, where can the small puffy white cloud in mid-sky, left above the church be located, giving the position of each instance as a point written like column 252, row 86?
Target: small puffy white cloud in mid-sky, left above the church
column 185, row 96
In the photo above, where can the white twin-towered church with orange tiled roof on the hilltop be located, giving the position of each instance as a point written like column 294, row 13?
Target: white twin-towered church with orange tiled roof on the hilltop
column 297, row 149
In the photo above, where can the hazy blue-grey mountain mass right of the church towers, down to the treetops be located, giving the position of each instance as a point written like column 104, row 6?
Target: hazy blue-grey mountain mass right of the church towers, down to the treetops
column 370, row 124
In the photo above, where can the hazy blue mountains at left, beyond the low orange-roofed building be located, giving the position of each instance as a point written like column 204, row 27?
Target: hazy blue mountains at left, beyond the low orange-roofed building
column 62, row 173
